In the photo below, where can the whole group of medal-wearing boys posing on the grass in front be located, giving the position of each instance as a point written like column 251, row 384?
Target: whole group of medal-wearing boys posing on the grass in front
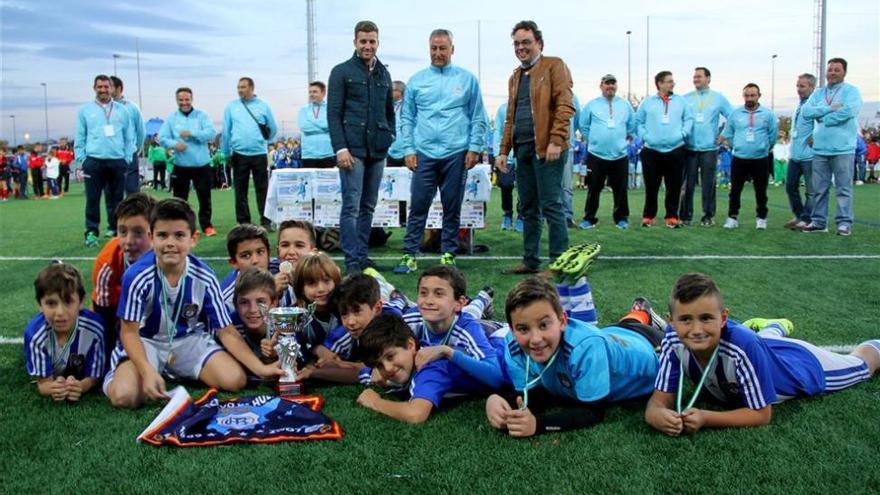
column 159, row 313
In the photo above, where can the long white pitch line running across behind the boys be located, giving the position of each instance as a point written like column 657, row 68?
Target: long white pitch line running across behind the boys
column 602, row 257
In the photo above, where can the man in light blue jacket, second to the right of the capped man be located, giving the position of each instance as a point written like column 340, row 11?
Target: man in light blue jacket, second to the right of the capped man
column 702, row 147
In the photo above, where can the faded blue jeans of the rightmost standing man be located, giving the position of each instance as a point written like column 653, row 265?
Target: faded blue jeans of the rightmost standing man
column 841, row 168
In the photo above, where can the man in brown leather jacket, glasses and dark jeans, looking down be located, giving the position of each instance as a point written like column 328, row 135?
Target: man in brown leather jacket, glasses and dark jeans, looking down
column 537, row 129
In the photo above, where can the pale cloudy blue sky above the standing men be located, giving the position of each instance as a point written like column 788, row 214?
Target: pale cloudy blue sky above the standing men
column 207, row 46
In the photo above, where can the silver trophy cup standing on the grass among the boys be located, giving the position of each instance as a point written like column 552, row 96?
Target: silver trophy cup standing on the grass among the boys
column 288, row 322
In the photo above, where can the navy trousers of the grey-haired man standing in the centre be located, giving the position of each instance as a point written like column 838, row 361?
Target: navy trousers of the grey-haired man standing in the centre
column 449, row 175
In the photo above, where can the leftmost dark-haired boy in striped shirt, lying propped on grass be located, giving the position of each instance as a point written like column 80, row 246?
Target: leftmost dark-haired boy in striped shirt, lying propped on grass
column 64, row 344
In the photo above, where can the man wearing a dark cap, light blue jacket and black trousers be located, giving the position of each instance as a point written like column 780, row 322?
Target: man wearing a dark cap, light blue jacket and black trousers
column 606, row 122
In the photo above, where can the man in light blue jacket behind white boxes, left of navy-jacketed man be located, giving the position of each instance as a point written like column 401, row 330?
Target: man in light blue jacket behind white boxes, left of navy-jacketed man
column 317, row 152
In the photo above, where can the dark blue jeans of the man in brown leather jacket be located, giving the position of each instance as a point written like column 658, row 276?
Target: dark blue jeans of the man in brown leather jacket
column 540, row 190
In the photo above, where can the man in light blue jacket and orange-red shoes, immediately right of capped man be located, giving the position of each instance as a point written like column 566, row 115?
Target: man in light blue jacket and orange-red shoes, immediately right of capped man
column 663, row 121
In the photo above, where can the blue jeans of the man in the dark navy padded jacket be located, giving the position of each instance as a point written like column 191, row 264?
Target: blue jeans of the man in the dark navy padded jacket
column 360, row 190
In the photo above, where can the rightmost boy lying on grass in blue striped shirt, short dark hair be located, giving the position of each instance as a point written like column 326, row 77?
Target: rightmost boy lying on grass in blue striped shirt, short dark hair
column 745, row 370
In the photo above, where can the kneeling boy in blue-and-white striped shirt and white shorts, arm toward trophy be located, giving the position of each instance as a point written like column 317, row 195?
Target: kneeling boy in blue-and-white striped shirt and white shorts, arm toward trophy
column 167, row 296
